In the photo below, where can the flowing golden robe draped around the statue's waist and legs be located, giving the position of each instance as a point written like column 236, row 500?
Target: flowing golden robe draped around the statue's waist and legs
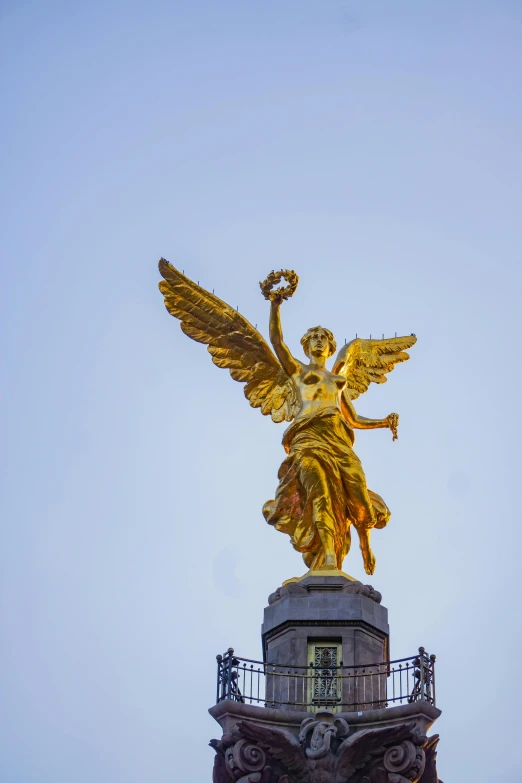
column 322, row 486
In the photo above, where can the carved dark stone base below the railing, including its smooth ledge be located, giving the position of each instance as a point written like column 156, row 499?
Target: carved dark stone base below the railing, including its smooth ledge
column 262, row 745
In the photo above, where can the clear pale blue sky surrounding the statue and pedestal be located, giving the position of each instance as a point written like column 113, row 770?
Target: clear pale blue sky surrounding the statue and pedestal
column 372, row 146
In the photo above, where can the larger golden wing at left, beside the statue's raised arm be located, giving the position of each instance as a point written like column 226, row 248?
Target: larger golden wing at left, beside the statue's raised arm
column 233, row 343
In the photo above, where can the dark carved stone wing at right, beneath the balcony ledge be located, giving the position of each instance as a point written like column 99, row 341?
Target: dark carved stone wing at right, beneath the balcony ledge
column 363, row 746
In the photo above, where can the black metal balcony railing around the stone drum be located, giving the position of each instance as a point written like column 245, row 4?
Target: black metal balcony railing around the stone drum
column 324, row 686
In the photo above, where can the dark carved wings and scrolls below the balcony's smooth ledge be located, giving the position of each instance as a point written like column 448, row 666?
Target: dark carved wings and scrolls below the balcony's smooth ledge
column 325, row 750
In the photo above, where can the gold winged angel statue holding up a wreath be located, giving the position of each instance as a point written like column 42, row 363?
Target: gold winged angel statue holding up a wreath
column 322, row 488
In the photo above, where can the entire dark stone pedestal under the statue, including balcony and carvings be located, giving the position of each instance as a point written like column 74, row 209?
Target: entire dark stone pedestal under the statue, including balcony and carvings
column 320, row 708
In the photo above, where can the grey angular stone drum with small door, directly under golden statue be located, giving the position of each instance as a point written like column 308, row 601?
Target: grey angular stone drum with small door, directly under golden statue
column 325, row 622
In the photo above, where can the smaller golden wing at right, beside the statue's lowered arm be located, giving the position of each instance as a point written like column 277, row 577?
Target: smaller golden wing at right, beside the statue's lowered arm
column 365, row 361
